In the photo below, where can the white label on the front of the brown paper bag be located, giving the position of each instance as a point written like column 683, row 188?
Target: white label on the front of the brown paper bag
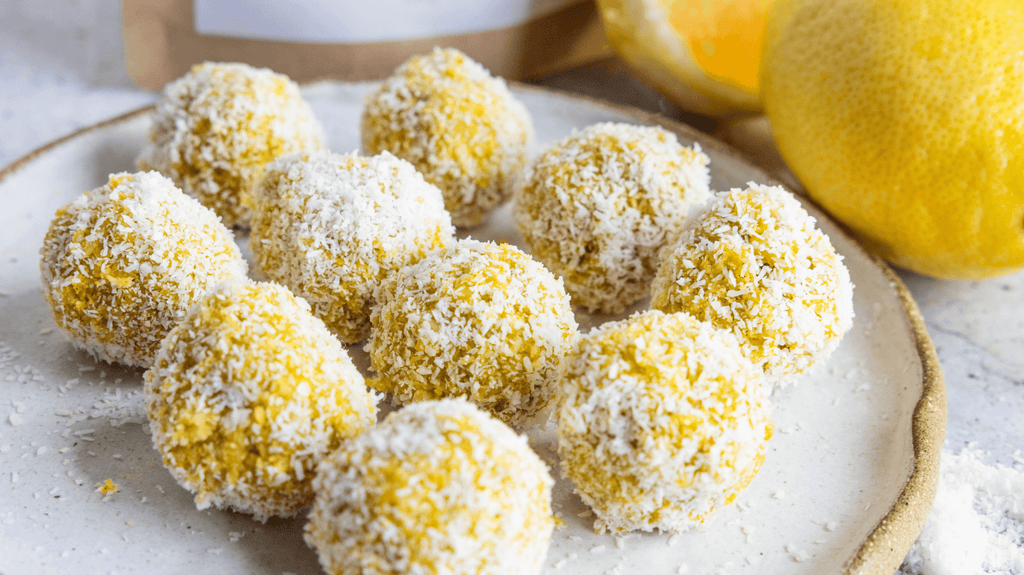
column 353, row 22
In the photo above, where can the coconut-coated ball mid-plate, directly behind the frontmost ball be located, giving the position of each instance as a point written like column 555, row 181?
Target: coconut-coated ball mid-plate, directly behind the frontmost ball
column 479, row 321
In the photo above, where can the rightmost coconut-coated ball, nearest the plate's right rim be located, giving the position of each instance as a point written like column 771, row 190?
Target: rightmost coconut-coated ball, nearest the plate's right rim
column 756, row 264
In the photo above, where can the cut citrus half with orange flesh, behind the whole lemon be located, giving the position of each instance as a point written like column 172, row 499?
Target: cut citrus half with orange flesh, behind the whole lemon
column 703, row 56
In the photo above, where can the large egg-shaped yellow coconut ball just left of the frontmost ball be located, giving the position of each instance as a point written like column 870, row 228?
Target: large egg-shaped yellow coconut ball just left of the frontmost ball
column 248, row 394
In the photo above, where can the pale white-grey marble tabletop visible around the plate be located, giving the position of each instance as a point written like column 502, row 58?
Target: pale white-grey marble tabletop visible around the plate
column 62, row 68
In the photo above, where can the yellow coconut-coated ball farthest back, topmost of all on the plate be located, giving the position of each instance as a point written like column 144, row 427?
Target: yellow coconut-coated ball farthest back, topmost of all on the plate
column 460, row 126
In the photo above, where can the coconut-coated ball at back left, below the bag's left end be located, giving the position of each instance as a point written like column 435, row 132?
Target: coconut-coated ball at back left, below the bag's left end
column 218, row 127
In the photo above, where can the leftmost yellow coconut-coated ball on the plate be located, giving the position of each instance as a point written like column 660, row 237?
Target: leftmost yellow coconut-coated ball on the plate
column 124, row 262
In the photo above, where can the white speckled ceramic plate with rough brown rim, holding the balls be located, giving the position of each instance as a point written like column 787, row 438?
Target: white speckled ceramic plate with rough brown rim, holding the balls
column 839, row 470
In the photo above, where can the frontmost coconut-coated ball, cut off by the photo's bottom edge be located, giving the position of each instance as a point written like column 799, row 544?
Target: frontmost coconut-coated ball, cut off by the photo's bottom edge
column 438, row 489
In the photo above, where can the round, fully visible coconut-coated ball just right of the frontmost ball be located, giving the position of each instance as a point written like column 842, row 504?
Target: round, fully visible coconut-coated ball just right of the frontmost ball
column 661, row 421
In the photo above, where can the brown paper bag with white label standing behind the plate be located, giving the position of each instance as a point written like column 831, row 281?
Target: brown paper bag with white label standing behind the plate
column 357, row 40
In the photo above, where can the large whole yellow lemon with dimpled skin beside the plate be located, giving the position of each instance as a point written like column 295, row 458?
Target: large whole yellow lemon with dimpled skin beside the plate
column 906, row 121
